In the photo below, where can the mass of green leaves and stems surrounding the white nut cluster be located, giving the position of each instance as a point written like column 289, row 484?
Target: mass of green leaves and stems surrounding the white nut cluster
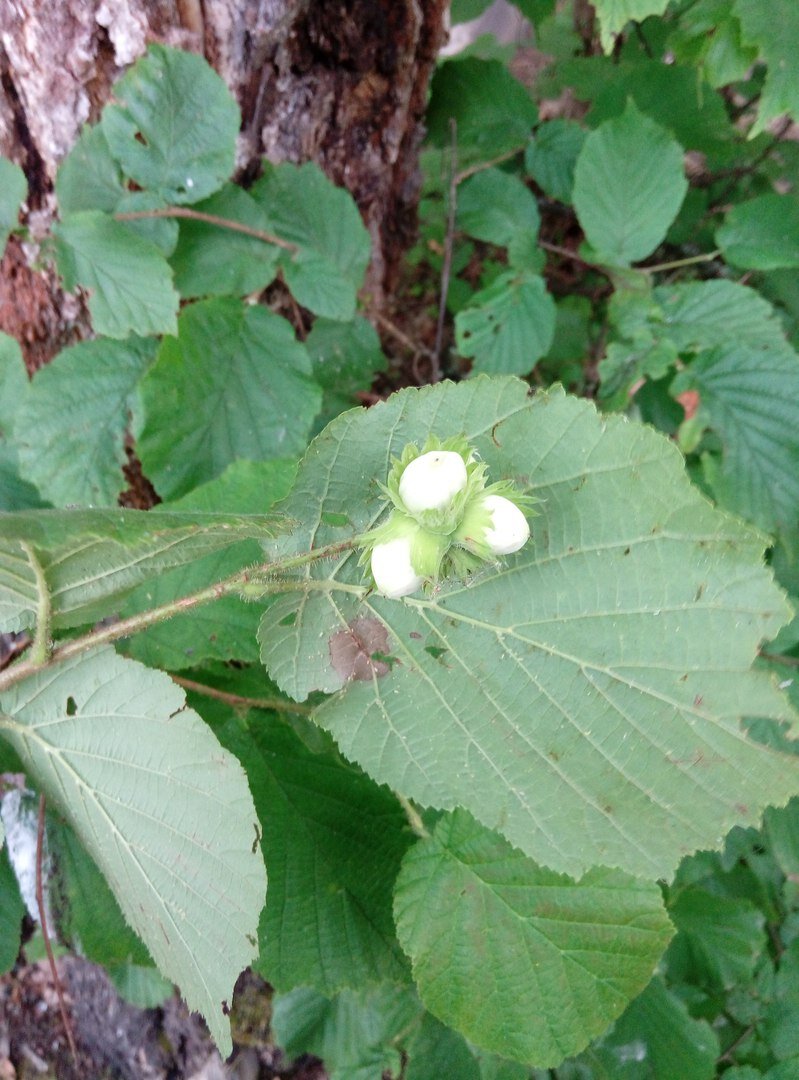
column 465, row 798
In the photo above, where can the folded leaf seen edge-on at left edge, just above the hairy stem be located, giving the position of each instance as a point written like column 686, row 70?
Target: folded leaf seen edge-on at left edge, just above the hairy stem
column 89, row 558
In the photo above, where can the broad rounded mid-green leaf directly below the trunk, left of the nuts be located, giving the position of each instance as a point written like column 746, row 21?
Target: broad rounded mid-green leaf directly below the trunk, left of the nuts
column 235, row 384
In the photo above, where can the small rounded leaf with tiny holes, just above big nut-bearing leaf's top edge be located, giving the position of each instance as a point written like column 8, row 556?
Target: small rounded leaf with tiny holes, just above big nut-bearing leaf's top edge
column 508, row 327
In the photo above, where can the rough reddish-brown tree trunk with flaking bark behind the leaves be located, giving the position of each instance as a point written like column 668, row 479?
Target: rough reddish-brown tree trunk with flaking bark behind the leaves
column 342, row 84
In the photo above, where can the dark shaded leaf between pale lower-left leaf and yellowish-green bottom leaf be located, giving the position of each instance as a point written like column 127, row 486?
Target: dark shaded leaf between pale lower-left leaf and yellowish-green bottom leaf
column 333, row 842
